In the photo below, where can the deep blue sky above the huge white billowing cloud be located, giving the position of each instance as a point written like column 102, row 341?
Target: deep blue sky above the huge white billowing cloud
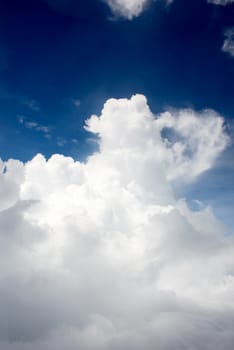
column 51, row 55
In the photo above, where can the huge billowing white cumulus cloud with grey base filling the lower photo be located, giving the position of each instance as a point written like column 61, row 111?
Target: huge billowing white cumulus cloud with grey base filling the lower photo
column 103, row 254
